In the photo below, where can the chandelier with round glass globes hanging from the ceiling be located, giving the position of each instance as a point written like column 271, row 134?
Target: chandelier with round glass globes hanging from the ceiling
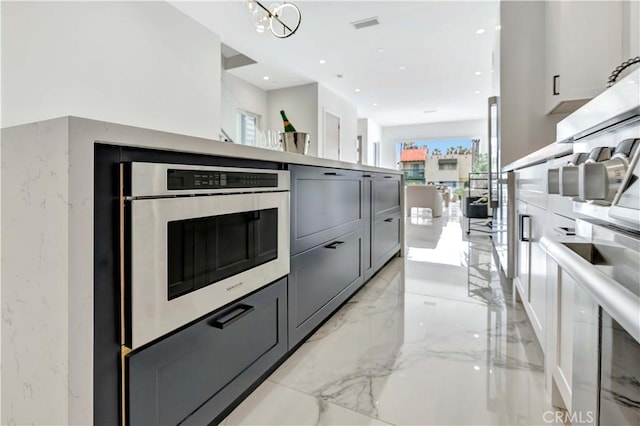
column 282, row 19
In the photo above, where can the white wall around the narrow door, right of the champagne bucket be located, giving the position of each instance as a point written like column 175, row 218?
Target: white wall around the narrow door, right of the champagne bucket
column 329, row 101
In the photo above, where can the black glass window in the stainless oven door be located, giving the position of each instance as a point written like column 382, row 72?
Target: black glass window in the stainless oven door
column 206, row 250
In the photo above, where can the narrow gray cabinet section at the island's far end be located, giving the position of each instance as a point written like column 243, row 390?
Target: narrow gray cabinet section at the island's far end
column 383, row 228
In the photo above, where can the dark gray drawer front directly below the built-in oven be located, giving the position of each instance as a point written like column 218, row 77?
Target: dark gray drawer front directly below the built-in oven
column 206, row 366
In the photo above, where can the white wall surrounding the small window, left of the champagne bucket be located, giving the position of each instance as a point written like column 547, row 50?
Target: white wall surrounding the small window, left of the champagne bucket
column 238, row 95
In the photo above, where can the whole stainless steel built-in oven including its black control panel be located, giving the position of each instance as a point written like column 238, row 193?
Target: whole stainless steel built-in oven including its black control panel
column 200, row 237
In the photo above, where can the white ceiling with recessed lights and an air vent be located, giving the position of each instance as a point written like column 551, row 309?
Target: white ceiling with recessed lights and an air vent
column 435, row 42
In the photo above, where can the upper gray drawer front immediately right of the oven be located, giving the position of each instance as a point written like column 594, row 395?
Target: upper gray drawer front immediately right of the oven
column 325, row 203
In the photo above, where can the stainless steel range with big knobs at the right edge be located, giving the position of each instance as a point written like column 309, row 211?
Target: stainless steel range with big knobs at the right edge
column 605, row 259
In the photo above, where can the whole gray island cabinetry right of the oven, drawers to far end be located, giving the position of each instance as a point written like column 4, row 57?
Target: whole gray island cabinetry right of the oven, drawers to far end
column 345, row 225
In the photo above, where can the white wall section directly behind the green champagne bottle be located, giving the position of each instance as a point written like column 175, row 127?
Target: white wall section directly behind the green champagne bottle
column 300, row 103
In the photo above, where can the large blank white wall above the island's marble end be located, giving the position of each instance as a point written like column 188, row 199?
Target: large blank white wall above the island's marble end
column 138, row 63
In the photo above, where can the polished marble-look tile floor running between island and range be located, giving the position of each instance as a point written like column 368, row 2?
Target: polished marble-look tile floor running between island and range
column 433, row 339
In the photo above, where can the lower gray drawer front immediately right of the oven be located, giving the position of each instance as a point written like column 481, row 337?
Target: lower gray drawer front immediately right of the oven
column 320, row 280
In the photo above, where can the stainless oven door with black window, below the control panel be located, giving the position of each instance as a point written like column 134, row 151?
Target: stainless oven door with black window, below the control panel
column 193, row 255
